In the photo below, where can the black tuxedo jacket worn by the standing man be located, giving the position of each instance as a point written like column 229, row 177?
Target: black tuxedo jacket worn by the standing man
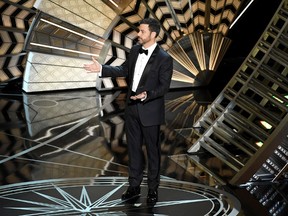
column 155, row 81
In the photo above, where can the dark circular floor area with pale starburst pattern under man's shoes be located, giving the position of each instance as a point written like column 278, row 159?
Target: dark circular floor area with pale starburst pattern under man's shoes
column 102, row 196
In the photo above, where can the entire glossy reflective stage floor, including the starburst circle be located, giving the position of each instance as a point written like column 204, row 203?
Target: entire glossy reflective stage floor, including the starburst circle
column 64, row 153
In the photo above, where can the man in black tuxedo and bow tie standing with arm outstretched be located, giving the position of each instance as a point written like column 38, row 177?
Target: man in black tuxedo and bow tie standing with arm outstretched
column 148, row 70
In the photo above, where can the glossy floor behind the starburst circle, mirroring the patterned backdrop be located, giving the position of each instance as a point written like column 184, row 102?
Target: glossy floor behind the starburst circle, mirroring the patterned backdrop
column 70, row 135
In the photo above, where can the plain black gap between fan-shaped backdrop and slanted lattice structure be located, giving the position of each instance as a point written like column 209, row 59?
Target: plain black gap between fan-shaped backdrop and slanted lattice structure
column 244, row 35
